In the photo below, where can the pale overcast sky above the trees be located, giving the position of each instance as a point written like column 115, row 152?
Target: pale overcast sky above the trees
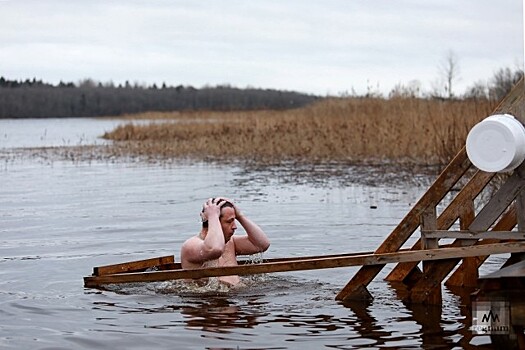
column 321, row 47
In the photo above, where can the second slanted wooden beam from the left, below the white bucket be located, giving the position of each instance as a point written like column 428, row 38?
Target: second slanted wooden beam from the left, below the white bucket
column 447, row 218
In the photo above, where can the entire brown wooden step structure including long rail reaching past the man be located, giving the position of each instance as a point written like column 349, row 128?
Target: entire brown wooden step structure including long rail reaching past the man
column 483, row 231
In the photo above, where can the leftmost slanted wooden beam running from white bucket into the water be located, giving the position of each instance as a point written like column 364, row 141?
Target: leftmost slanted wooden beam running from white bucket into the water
column 441, row 186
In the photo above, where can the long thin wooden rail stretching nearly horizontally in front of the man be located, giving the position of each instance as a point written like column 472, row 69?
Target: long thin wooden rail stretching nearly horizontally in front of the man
column 313, row 264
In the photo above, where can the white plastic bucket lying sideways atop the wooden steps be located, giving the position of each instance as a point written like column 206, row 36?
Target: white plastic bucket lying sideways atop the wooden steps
column 497, row 143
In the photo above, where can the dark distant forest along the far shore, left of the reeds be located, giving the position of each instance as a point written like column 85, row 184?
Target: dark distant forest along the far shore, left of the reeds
column 35, row 98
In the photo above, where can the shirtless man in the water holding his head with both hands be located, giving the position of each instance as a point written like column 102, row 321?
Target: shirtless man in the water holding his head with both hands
column 216, row 244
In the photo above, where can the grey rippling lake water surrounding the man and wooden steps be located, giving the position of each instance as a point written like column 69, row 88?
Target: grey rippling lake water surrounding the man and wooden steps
column 59, row 218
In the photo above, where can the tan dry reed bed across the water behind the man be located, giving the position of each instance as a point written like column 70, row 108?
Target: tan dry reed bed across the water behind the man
column 357, row 130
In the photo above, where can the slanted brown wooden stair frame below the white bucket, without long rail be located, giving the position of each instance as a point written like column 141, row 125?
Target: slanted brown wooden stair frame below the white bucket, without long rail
column 493, row 223
